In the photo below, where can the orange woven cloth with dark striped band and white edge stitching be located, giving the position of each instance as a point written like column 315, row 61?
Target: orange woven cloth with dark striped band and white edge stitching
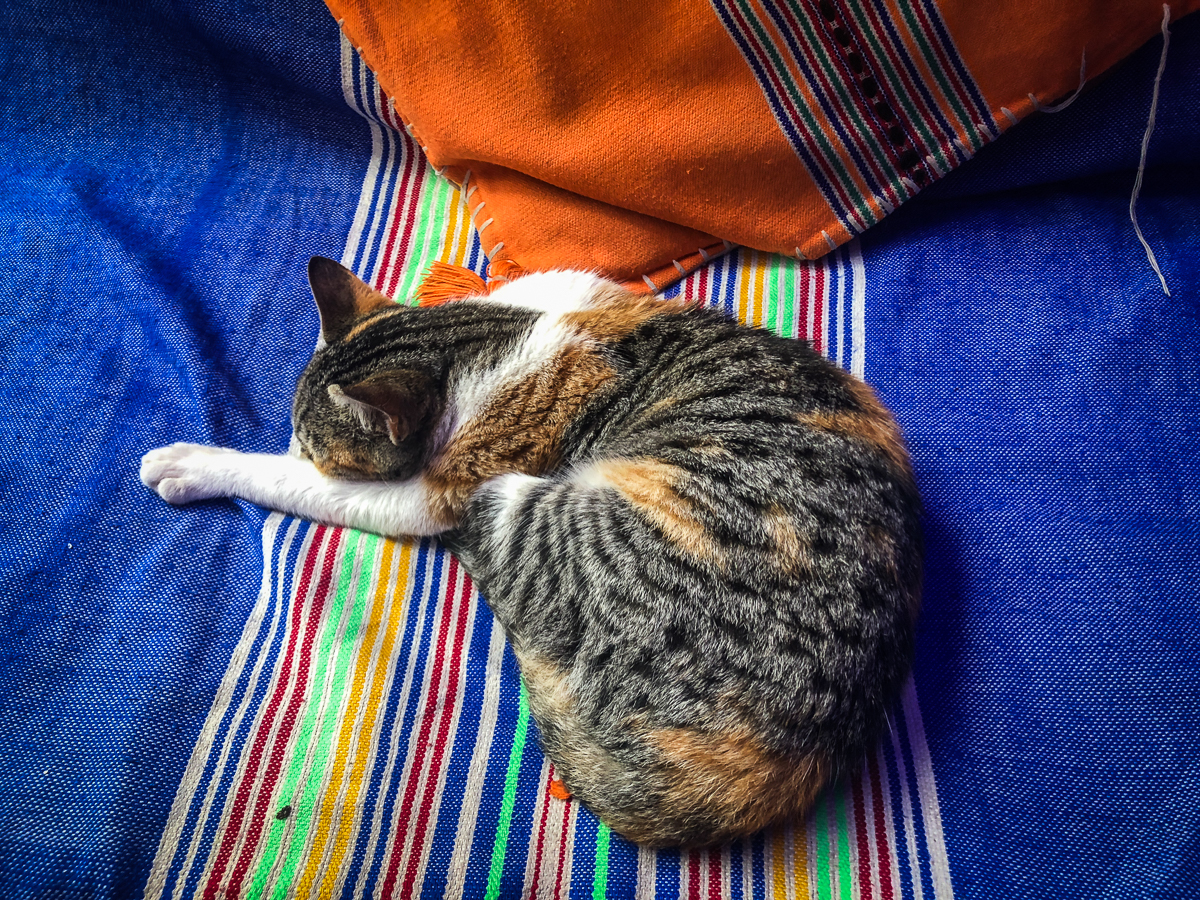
column 637, row 139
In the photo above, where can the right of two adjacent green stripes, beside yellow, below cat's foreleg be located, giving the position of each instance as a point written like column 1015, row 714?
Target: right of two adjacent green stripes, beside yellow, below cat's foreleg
column 323, row 753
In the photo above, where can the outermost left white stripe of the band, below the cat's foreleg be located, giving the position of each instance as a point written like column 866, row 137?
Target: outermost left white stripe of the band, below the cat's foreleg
column 203, row 751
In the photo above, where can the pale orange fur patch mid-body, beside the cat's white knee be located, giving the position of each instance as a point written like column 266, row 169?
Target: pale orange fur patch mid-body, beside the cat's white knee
column 650, row 487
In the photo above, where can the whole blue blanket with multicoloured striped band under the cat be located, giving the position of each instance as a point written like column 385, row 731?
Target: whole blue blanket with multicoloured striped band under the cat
column 219, row 703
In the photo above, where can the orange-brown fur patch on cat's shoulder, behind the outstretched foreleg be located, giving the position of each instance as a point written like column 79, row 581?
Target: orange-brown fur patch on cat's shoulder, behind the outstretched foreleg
column 521, row 430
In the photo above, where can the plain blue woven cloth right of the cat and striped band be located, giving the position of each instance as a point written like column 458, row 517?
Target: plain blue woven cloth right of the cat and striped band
column 1051, row 395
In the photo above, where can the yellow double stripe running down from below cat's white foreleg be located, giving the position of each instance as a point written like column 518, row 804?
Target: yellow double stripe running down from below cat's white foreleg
column 374, row 698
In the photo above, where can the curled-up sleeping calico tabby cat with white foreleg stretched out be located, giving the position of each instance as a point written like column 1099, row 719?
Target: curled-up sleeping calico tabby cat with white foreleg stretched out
column 701, row 539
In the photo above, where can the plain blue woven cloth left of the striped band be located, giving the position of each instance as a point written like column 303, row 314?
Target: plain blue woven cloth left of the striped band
column 166, row 175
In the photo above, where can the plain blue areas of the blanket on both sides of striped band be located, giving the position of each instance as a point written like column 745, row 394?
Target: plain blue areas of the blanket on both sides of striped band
column 166, row 172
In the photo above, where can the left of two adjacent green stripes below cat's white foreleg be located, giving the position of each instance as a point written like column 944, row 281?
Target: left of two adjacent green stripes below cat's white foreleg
column 286, row 794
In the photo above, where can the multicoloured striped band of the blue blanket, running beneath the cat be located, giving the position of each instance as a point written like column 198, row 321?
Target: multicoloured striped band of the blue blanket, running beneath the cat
column 371, row 739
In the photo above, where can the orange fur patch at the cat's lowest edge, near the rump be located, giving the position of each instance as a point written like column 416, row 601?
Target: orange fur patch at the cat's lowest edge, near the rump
column 733, row 779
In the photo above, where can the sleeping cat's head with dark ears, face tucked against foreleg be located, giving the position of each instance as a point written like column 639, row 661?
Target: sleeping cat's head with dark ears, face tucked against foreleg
column 361, row 412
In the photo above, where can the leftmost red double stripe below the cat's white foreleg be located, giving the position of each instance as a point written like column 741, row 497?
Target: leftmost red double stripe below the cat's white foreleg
column 247, row 785
